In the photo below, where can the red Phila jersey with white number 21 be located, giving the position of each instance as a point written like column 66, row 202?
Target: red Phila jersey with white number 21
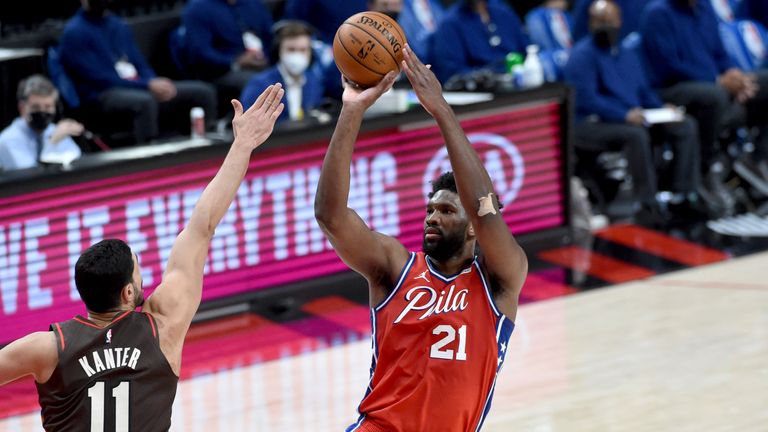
column 438, row 343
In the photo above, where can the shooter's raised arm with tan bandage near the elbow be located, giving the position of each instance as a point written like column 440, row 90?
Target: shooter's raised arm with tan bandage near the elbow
column 503, row 258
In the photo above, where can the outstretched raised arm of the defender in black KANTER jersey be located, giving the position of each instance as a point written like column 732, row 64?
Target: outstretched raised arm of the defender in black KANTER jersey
column 176, row 299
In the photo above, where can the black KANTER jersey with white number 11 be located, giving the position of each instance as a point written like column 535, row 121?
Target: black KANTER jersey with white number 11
column 108, row 379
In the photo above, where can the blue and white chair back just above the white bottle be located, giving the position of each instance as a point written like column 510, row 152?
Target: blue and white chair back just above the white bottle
column 549, row 28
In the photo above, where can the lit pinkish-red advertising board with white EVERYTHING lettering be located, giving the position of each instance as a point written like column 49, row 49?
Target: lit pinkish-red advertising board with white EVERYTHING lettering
column 269, row 236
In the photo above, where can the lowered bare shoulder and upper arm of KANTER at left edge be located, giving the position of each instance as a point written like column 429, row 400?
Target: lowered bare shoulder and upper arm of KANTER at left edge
column 35, row 354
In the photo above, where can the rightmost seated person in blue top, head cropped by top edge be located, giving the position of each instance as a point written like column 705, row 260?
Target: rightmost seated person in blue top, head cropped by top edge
column 691, row 67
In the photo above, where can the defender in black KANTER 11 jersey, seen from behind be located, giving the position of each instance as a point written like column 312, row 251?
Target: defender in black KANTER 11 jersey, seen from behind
column 117, row 369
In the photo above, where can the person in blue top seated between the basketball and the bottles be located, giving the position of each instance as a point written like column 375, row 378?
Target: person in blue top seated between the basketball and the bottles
column 476, row 34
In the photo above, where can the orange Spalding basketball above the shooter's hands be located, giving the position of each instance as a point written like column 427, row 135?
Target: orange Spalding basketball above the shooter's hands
column 367, row 46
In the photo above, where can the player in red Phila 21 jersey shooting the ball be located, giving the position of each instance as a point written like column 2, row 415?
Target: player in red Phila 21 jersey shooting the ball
column 442, row 317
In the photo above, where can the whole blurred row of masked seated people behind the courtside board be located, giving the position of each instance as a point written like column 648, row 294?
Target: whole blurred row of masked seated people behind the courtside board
column 670, row 95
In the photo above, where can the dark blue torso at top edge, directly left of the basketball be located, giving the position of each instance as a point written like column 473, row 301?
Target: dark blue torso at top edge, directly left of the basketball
column 324, row 15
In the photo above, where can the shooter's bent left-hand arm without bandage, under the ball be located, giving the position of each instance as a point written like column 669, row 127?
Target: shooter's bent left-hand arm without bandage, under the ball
column 377, row 257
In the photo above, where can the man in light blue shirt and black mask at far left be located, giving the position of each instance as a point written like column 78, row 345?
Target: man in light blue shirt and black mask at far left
column 33, row 136
